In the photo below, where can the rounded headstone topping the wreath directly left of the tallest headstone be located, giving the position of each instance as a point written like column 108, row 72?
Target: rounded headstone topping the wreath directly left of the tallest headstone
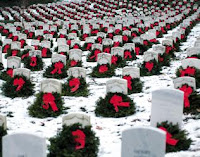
column 116, row 86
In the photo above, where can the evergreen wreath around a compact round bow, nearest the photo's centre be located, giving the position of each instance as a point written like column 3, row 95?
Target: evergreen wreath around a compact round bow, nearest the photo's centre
column 109, row 73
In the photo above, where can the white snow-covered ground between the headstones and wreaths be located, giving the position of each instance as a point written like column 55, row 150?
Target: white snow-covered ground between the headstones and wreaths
column 107, row 129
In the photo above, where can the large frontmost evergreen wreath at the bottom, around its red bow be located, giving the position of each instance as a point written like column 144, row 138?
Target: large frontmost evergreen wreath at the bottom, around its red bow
column 63, row 144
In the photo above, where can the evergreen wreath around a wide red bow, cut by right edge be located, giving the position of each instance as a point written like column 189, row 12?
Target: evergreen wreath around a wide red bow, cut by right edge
column 196, row 75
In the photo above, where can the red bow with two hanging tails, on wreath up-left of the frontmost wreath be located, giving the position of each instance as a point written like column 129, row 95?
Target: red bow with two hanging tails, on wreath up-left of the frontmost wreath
column 49, row 99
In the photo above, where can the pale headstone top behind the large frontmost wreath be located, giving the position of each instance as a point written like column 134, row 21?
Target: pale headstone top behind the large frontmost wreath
column 73, row 118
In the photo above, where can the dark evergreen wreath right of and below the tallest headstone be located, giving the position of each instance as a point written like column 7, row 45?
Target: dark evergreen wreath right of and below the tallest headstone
column 183, row 143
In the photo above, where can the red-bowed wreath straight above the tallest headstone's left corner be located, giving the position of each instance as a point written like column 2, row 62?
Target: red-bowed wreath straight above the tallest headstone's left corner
column 154, row 68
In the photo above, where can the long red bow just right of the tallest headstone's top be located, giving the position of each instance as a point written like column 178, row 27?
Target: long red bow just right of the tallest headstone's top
column 187, row 92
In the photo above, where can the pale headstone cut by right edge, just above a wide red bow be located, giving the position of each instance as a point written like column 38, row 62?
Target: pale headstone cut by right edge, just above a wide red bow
column 191, row 62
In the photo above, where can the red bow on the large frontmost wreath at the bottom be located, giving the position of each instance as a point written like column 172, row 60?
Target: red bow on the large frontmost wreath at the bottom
column 79, row 138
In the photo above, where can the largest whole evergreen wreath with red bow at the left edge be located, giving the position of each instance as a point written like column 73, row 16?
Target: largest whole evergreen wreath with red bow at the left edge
column 18, row 86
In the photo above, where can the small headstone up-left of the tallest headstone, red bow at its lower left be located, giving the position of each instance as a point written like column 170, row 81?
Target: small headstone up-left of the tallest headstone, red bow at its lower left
column 134, row 72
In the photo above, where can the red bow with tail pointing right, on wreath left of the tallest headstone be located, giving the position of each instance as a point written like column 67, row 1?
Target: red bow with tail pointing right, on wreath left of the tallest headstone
column 117, row 101
